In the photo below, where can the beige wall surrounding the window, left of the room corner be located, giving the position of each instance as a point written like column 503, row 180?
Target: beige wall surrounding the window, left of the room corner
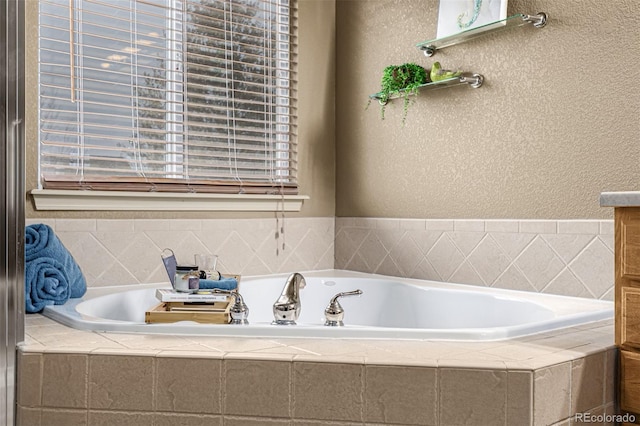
column 316, row 123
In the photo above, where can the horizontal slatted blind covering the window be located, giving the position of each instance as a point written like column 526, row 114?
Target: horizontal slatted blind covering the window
column 168, row 95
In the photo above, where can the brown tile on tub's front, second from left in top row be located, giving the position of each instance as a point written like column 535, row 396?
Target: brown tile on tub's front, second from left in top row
column 64, row 381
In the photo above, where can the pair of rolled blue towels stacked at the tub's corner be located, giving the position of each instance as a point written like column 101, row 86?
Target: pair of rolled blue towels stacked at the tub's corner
column 43, row 247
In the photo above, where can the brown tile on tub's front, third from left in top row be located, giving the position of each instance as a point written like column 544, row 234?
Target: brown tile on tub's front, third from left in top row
column 121, row 382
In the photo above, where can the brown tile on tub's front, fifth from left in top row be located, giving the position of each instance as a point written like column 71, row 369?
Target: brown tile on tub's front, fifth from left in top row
column 257, row 388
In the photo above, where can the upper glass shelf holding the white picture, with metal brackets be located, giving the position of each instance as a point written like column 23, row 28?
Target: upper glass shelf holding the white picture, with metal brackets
column 429, row 47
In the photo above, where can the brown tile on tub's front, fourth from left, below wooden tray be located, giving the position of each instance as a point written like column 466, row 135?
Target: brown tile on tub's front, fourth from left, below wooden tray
column 188, row 385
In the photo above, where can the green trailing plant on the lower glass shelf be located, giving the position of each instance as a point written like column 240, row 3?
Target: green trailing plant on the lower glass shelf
column 402, row 80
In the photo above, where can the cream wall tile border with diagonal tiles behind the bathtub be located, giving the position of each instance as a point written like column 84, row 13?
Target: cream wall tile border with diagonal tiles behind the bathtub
column 568, row 257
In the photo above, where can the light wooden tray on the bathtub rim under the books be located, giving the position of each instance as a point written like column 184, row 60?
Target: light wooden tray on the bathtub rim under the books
column 210, row 313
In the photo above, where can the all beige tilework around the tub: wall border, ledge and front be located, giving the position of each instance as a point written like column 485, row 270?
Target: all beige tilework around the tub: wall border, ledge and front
column 73, row 377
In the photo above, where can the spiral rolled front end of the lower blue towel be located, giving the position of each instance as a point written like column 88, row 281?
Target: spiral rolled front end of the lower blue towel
column 46, row 283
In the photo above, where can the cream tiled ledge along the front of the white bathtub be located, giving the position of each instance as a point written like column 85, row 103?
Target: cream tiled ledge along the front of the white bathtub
column 527, row 352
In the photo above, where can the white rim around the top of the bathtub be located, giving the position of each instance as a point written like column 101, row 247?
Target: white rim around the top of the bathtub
column 67, row 315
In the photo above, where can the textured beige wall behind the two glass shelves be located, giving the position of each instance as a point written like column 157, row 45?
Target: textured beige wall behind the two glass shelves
column 555, row 123
